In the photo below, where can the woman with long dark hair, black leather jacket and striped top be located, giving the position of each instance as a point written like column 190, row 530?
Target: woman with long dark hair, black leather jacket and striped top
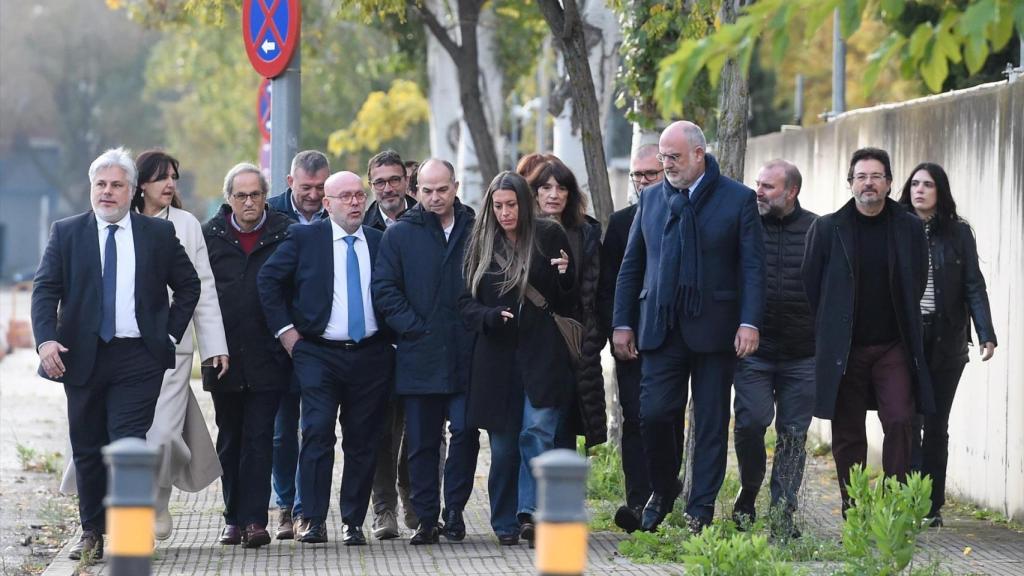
column 956, row 294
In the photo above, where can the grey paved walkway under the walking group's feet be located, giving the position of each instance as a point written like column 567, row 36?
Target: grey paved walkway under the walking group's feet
column 193, row 549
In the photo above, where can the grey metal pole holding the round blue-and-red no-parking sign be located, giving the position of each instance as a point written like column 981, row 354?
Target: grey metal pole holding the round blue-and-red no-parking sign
column 285, row 100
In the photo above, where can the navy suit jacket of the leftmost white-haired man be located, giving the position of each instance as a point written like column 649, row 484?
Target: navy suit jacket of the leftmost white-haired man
column 67, row 298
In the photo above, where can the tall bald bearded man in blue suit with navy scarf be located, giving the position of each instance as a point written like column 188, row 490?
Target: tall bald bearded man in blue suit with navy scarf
column 690, row 297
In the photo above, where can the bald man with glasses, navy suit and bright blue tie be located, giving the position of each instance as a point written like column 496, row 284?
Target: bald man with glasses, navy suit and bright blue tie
column 316, row 295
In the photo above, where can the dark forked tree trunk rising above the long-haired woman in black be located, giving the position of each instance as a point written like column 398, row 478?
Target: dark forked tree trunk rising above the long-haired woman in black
column 464, row 54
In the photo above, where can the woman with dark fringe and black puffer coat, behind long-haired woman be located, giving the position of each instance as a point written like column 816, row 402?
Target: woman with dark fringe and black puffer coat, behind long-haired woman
column 559, row 198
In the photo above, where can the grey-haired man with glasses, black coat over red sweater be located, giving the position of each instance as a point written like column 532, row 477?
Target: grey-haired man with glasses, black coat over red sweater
column 240, row 239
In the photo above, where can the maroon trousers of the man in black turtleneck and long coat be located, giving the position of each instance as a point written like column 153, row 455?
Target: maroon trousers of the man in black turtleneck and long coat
column 880, row 374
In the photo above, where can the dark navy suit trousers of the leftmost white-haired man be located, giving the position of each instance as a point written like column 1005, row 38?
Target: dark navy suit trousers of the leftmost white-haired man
column 118, row 401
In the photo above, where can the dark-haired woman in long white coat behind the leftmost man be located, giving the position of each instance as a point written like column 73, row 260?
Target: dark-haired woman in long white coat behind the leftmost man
column 188, row 458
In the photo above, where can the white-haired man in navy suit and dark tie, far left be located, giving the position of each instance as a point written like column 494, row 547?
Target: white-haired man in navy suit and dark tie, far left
column 100, row 307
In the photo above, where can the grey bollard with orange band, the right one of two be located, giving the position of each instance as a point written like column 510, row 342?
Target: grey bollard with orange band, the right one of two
column 562, row 517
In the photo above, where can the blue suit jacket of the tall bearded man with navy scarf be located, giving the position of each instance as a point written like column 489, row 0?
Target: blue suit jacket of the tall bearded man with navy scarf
column 733, row 263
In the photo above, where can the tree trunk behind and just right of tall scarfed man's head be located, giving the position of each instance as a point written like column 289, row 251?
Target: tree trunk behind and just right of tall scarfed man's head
column 733, row 104
